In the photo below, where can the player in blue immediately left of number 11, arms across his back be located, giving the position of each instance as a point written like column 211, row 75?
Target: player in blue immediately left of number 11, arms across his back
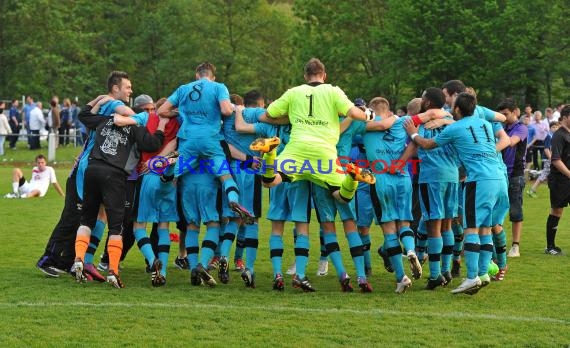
column 438, row 180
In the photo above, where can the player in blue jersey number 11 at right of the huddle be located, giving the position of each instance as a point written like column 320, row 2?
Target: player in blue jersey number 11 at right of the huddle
column 475, row 145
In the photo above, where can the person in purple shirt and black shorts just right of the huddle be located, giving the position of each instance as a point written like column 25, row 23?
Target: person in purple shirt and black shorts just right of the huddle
column 514, row 158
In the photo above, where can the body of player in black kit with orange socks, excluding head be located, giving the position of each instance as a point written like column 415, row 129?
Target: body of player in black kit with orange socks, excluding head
column 113, row 157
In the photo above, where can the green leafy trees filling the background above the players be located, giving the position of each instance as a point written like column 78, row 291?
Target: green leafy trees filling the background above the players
column 392, row 48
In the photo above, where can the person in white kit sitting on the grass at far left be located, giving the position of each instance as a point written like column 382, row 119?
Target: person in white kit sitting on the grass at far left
column 42, row 176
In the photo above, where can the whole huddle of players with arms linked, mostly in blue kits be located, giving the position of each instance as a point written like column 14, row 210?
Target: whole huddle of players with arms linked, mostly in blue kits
column 204, row 155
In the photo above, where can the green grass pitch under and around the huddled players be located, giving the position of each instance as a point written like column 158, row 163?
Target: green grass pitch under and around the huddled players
column 530, row 308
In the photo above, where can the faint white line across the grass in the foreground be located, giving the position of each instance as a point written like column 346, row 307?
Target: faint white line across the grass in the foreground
column 372, row 311
